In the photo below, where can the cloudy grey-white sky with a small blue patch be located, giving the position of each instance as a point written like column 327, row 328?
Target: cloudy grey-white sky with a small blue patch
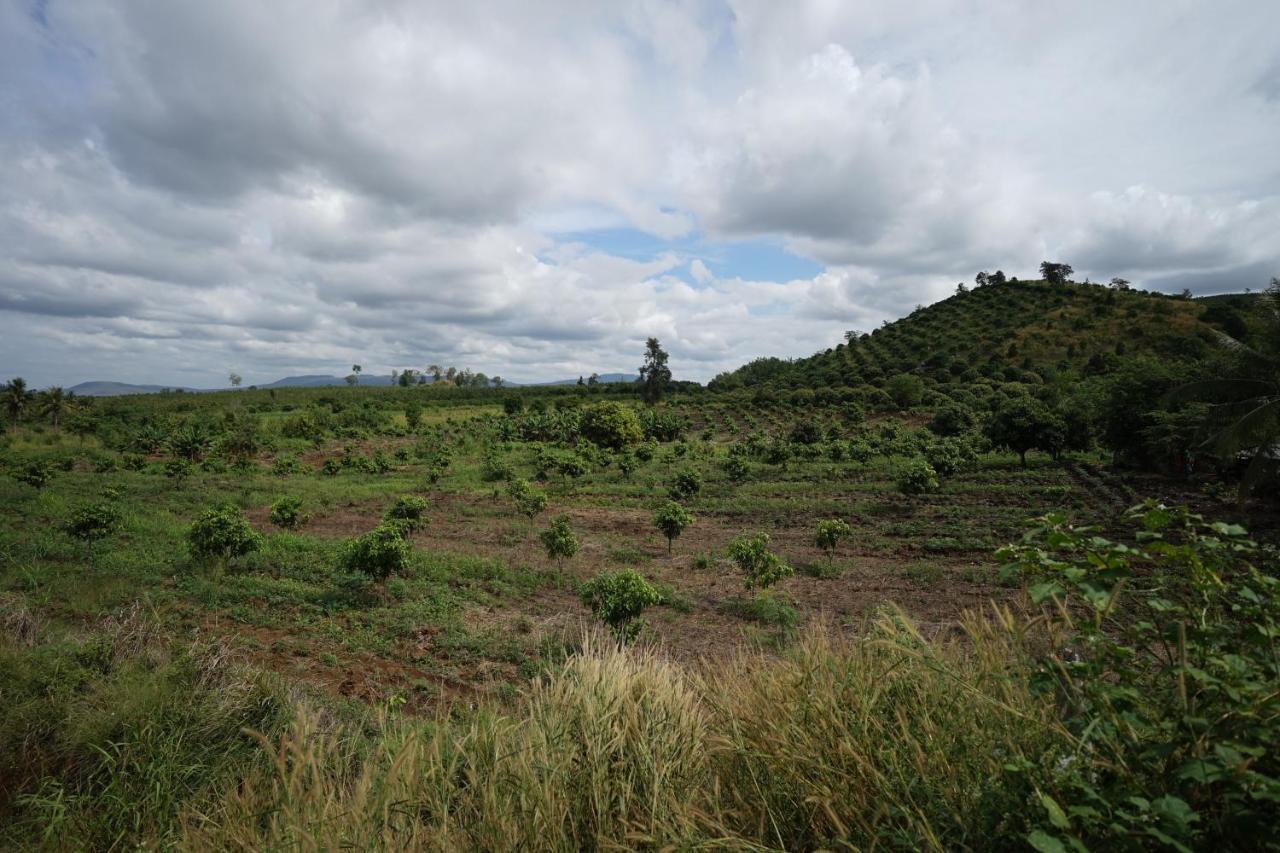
column 533, row 189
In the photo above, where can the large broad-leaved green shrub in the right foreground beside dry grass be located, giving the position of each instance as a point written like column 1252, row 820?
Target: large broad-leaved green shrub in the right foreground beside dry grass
column 1165, row 669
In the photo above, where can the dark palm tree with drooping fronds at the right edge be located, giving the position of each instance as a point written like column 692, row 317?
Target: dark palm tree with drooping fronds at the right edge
column 1247, row 412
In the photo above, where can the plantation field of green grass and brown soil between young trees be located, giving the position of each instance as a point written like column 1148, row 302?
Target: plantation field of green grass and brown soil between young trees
column 482, row 606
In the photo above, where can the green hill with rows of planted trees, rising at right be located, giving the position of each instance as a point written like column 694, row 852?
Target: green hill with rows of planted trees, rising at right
column 1005, row 332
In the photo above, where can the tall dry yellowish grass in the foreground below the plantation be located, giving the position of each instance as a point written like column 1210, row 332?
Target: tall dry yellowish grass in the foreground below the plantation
column 885, row 741
